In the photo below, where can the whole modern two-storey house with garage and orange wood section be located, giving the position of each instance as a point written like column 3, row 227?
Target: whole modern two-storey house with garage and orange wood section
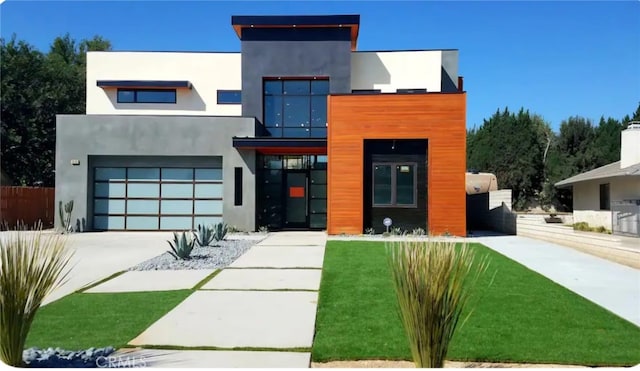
column 299, row 130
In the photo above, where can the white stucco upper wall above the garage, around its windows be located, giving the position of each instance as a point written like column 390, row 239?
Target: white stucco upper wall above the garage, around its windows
column 207, row 72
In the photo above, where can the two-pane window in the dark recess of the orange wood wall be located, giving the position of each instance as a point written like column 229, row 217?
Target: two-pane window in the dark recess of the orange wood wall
column 394, row 184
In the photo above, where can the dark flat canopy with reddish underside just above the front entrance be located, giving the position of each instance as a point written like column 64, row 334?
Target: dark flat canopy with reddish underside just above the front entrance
column 283, row 146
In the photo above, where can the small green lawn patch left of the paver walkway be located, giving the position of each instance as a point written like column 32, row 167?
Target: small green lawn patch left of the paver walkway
column 81, row 321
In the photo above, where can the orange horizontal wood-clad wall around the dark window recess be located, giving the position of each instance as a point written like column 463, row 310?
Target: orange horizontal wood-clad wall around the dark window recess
column 439, row 118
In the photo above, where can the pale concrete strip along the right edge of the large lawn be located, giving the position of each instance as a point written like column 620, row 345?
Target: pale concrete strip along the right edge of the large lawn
column 613, row 286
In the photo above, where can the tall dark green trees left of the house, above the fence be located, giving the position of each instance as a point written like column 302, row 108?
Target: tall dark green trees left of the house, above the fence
column 35, row 87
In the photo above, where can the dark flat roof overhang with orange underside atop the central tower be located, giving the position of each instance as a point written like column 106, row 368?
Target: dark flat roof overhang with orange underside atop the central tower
column 351, row 21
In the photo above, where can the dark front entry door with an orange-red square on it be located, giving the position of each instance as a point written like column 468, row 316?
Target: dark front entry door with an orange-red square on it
column 297, row 204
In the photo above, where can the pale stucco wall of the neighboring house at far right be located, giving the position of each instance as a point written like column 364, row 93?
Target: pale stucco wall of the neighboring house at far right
column 586, row 199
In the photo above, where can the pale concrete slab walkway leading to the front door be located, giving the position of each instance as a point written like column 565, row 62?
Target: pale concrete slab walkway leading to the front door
column 259, row 312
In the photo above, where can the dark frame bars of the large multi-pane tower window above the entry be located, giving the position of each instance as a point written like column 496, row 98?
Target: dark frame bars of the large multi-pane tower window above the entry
column 311, row 128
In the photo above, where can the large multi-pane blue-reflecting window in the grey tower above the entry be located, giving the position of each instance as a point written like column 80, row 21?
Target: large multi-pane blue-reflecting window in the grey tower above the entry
column 296, row 108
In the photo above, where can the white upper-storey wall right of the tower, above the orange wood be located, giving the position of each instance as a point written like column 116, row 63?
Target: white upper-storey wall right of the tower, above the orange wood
column 393, row 70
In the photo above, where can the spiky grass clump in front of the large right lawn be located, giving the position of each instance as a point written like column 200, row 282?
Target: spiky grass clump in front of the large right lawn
column 433, row 281
